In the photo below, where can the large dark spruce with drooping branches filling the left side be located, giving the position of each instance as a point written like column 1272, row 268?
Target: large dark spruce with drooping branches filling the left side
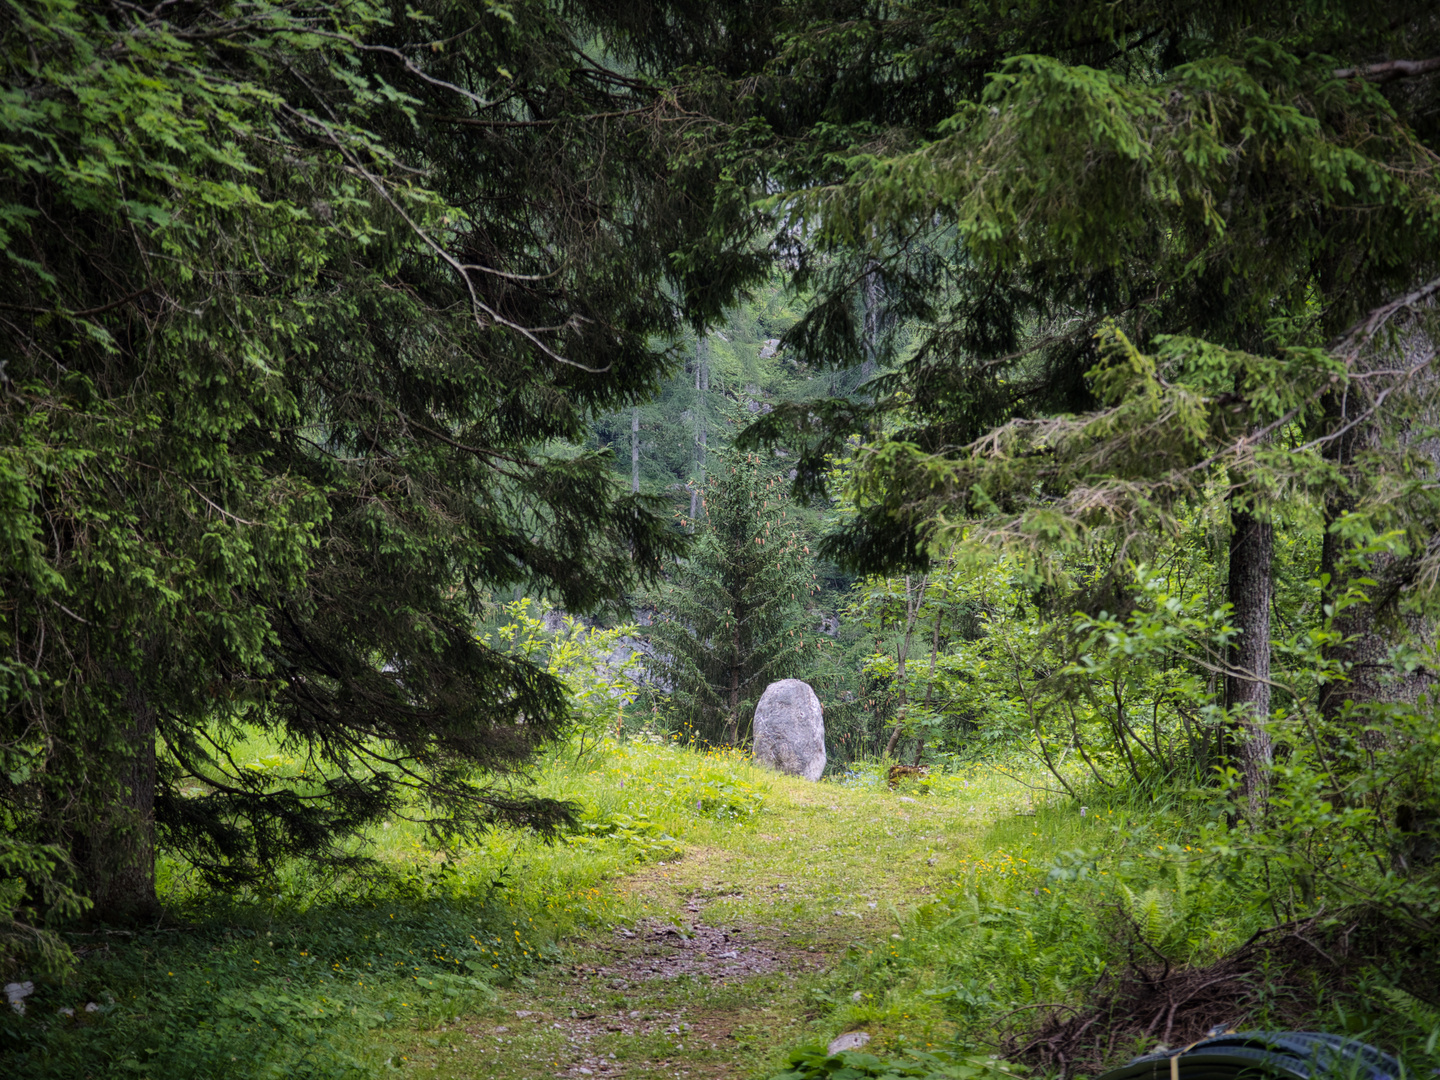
column 306, row 309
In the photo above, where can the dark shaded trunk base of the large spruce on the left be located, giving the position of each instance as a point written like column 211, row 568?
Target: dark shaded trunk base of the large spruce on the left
column 117, row 853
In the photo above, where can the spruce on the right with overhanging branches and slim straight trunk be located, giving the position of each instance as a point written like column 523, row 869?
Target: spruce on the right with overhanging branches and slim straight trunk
column 1239, row 192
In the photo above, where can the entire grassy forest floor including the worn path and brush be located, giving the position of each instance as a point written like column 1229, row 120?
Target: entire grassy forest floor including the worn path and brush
column 712, row 919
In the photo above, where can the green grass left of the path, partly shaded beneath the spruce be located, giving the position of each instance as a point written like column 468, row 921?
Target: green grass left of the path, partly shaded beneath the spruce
column 316, row 976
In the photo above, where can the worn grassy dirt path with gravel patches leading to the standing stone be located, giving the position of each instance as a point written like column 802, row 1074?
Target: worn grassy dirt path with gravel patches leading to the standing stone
column 718, row 973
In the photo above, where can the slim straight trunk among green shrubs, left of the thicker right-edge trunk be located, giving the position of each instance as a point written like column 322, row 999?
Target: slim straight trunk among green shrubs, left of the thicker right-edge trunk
column 1248, row 679
